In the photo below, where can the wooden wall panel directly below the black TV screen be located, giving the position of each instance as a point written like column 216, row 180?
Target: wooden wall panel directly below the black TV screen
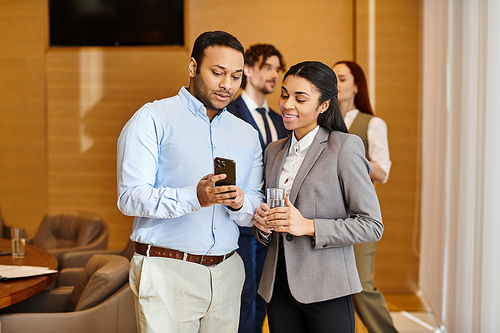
column 92, row 92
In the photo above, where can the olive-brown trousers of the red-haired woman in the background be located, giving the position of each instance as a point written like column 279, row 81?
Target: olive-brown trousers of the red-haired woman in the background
column 370, row 303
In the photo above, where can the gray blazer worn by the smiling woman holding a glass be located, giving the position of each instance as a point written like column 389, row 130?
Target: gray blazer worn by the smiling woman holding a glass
column 332, row 187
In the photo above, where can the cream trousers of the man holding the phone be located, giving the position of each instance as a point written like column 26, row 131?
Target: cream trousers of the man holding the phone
column 173, row 295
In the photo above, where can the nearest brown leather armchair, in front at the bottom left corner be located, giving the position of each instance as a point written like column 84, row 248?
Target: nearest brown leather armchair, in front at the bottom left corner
column 100, row 301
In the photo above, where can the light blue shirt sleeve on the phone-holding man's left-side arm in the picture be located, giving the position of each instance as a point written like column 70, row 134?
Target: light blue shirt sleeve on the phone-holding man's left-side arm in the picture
column 137, row 165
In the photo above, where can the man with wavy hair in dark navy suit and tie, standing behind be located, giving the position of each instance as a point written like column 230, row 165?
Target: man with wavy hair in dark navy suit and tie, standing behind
column 263, row 62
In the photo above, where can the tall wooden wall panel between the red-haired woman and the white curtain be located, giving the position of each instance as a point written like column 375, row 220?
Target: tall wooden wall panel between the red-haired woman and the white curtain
column 393, row 47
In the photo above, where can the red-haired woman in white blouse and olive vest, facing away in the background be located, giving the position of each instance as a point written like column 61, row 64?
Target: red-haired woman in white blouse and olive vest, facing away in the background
column 360, row 119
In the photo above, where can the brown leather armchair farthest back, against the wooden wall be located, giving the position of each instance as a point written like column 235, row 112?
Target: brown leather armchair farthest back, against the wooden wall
column 71, row 231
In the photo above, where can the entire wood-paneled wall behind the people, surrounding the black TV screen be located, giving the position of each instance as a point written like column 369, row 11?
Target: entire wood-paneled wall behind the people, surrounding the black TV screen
column 62, row 108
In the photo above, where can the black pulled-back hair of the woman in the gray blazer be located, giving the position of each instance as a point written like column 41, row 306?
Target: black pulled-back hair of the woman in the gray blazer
column 325, row 81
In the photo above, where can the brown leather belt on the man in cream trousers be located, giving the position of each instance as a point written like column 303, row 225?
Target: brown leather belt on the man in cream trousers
column 156, row 251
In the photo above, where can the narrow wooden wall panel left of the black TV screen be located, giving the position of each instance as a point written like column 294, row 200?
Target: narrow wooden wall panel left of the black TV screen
column 22, row 113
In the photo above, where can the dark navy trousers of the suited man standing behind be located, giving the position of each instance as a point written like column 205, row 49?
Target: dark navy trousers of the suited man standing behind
column 253, row 306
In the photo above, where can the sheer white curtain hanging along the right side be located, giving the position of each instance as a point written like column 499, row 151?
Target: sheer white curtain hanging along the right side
column 459, row 268
